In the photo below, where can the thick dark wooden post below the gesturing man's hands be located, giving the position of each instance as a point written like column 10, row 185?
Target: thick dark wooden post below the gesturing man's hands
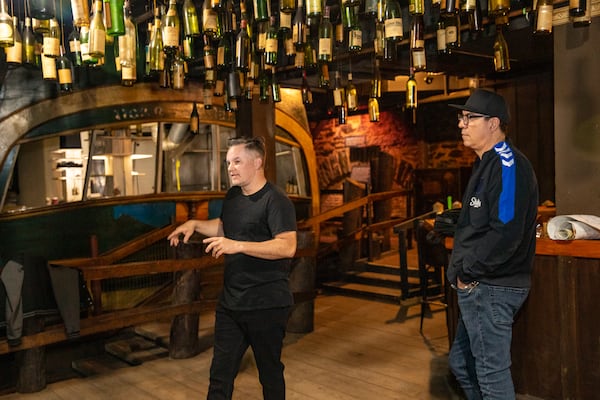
column 183, row 341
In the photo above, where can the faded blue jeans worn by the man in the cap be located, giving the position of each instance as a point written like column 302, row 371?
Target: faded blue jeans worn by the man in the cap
column 480, row 355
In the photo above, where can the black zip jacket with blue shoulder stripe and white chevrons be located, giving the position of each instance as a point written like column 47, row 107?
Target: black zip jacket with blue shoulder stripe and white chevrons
column 494, row 242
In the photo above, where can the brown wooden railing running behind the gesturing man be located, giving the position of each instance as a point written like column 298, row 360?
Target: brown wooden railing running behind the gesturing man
column 97, row 268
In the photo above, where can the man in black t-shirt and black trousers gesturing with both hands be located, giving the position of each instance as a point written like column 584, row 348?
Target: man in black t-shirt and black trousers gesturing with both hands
column 256, row 233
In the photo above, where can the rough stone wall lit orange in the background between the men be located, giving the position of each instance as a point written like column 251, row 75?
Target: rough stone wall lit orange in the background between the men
column 343, row 152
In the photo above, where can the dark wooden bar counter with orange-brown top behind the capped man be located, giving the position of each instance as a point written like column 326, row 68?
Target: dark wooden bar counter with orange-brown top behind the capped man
column 556, row 335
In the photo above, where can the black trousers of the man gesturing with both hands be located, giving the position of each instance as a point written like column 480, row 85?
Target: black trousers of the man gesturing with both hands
column 263, row 331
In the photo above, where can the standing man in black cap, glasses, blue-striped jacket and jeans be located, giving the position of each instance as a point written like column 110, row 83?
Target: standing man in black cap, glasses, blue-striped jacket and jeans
column 494, row 247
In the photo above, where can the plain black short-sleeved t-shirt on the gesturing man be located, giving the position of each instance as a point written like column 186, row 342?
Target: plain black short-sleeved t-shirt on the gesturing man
column 249, row 282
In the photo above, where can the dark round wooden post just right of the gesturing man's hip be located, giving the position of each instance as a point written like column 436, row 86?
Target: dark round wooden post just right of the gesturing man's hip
column 302, row 284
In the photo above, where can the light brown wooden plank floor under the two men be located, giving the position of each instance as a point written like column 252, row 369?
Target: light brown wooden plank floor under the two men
column 358, row 350
